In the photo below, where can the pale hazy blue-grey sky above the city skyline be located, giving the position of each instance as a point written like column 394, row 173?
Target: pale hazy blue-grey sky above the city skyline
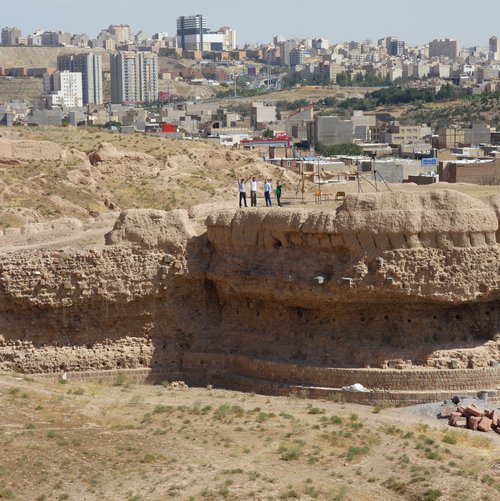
column 415, row 21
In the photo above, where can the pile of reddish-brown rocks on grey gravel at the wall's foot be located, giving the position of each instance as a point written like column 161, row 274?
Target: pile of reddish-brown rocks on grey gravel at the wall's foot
column 471, row 417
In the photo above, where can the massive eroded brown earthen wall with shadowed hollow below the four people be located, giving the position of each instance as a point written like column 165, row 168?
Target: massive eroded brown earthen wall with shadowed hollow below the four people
column 387, row 281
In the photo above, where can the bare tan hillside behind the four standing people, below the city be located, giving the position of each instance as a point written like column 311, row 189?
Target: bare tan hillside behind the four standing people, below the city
column 145, row 171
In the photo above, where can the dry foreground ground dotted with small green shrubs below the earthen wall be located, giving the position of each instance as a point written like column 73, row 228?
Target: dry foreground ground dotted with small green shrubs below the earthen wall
column 121, row 441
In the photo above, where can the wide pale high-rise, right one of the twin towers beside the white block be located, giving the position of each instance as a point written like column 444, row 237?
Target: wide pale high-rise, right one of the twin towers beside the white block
column 134, row 77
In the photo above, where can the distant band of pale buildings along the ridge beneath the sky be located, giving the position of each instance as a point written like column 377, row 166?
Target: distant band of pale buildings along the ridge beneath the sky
column 387, row 59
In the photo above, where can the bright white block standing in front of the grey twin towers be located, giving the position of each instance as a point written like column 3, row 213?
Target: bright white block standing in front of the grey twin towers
column 63, row 88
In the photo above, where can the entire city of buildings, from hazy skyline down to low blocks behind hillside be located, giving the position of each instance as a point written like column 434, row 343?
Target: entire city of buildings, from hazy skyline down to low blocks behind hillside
column 73, row 91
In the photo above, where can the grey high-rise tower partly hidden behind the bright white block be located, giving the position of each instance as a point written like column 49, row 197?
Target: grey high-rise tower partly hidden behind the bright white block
column 90, row 67
